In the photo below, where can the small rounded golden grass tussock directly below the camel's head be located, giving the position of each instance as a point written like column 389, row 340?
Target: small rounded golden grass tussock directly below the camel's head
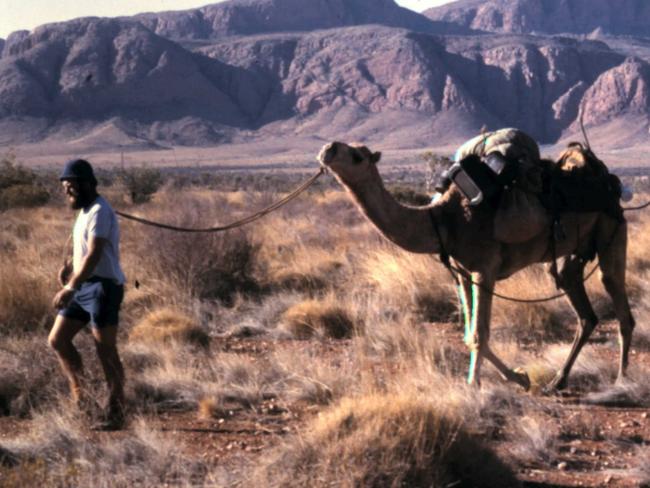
column 318, row 318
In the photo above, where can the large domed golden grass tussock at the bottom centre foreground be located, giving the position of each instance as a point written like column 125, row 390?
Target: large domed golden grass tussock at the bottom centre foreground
column 385, row 440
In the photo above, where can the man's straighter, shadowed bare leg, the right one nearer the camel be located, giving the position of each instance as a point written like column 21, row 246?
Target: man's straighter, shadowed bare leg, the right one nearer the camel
column 106, row 345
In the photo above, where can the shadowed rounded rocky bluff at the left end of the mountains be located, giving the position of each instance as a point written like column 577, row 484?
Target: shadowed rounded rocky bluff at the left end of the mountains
column 94, row 69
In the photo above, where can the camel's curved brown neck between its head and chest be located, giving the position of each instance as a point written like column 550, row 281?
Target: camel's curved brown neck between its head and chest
column 411, row 228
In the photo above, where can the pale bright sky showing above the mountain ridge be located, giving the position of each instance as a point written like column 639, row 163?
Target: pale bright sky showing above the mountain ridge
column 27, row 14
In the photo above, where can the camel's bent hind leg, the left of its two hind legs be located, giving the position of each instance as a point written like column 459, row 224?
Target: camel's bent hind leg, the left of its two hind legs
column 571, row 281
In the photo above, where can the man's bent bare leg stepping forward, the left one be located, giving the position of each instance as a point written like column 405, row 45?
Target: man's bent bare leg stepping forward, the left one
column 60, row 339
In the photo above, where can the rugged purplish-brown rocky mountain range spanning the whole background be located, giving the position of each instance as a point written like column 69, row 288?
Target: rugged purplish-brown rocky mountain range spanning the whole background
column 247, row 70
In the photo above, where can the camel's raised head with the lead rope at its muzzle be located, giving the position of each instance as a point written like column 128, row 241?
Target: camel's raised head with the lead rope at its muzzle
column 351, row 163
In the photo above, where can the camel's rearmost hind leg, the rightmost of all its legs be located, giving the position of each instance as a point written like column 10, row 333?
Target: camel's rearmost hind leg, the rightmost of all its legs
column 612, row 254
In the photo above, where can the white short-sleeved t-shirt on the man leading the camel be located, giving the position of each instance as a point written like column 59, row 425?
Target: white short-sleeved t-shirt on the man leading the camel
column 98, row 220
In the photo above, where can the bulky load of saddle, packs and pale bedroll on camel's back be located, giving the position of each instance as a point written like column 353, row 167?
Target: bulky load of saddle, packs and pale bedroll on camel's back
column 503, row 169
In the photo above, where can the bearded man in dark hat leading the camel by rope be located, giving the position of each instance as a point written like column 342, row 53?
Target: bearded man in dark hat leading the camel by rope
column 92, row 290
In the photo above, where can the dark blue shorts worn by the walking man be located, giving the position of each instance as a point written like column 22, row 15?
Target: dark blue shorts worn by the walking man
column 97, row 301
